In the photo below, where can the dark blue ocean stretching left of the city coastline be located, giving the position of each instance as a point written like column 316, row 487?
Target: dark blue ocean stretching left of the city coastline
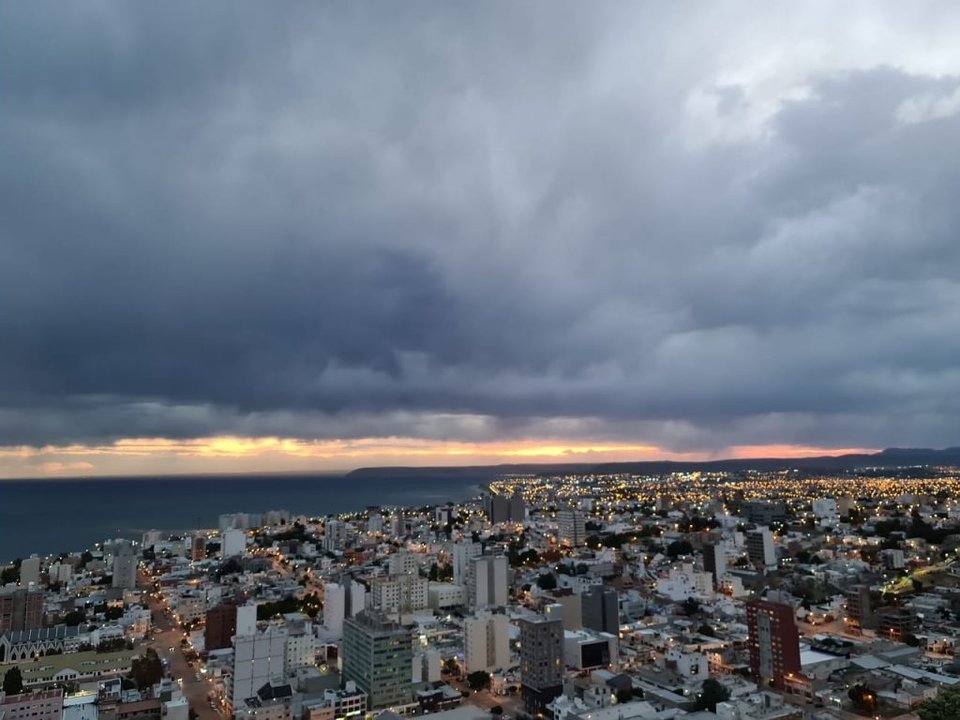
column 54, row 516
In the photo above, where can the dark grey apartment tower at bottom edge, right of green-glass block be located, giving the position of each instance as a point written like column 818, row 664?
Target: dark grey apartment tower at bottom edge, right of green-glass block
column 541, row 662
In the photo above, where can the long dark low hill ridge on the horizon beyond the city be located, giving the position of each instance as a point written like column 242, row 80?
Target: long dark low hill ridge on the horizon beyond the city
column 889, row 458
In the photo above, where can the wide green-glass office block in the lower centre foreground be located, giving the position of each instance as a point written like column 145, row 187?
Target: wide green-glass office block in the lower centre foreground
column 378, row 657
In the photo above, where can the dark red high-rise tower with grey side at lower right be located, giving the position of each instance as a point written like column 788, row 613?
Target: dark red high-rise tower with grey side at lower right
column 774, row 642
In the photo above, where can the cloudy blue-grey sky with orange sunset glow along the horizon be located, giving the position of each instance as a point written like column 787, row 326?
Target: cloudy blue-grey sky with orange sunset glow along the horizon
column 246, row 236
